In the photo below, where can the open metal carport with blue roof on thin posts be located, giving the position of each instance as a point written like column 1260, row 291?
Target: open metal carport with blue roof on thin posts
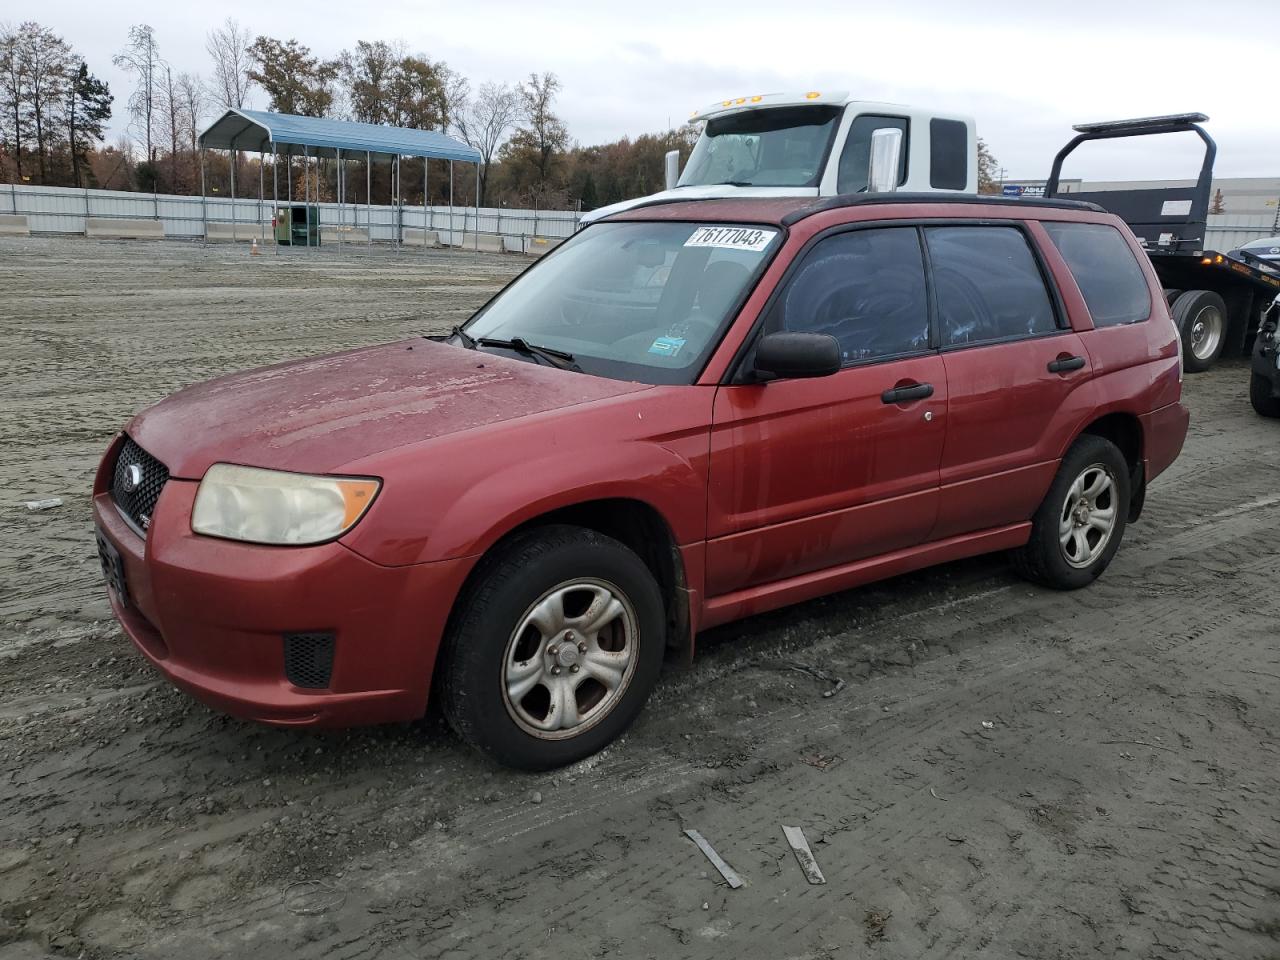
column 322, row 138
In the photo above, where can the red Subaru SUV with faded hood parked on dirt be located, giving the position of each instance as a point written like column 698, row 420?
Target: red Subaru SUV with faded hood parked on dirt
column 688, row 414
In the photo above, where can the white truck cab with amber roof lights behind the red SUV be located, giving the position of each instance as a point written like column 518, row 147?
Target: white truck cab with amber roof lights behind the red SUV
column 821, row 145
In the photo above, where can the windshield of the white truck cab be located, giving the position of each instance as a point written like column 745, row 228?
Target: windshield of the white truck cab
column 784, row 147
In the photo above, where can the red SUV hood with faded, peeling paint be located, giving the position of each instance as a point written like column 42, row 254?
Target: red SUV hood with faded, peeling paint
column 317, row 415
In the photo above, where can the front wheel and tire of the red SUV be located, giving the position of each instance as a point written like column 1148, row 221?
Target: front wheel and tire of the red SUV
column 510, row 685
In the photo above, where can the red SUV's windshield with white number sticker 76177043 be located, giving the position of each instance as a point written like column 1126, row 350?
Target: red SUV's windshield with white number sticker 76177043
column 633, row 301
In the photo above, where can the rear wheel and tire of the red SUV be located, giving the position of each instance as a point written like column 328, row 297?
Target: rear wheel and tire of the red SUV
column 1049, row 561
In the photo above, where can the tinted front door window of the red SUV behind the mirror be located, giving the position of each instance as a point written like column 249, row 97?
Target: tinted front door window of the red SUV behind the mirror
column 866, row 289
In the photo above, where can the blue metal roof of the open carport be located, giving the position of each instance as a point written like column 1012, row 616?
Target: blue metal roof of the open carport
column 259, row 130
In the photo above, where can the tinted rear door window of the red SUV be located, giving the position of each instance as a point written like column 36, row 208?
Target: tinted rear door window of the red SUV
column 989, row 285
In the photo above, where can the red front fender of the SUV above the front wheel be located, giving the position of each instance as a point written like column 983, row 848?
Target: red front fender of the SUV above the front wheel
column 458, row 497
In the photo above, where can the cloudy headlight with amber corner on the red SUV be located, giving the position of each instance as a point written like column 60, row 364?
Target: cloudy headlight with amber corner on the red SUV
column 275, row 508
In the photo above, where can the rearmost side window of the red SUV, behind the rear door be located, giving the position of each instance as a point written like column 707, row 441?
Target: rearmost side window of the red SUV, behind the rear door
column 1105, row 269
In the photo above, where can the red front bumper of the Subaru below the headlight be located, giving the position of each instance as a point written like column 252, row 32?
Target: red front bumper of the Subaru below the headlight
column 211, row 615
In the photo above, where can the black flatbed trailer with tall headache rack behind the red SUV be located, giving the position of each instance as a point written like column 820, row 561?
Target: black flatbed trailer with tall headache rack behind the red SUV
column 1218, row 300
